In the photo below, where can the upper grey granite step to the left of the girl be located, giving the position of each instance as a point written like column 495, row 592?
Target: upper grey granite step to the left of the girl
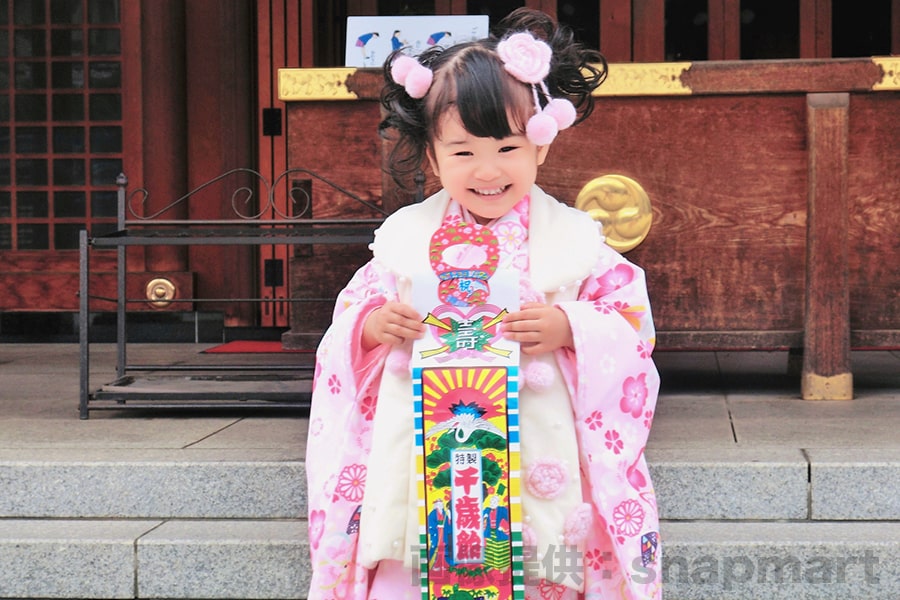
column 152, row 484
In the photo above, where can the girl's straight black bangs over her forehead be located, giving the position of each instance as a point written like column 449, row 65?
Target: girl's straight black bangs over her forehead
column 490, row 102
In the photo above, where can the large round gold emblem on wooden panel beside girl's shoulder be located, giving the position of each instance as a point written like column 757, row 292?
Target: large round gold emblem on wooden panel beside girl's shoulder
column 621, row 205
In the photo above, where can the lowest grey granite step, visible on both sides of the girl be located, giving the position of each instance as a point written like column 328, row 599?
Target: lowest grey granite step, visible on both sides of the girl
column 249, row 559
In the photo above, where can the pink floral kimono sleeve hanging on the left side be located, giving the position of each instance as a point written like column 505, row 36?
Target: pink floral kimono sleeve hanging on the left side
column 340, row 429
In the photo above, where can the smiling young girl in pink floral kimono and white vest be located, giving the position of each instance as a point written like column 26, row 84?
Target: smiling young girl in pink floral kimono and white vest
column 483, row 115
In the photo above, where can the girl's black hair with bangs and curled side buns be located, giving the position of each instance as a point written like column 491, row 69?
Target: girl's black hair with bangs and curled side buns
column 470, row 77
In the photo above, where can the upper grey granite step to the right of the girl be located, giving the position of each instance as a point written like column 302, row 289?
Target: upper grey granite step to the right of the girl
column 776, row 483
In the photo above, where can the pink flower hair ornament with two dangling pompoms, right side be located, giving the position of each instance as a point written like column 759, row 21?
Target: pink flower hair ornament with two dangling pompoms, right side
column 528, row 59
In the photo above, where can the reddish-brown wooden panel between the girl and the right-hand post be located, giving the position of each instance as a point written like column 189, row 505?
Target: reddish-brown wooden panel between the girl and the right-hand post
column 728, row 191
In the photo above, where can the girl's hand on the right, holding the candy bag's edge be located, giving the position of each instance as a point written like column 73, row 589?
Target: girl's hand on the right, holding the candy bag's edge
column 539, row 328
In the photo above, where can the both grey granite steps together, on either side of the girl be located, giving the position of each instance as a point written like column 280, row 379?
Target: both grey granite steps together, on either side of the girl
column 739, row 523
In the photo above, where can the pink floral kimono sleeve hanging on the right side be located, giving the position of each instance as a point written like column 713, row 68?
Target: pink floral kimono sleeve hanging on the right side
column 614, row 386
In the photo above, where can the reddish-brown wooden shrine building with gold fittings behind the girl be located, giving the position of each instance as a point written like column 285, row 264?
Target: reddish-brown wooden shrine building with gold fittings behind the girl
column 749, row 146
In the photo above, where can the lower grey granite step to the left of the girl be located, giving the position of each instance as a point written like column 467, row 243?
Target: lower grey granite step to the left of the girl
column 153, row 559
